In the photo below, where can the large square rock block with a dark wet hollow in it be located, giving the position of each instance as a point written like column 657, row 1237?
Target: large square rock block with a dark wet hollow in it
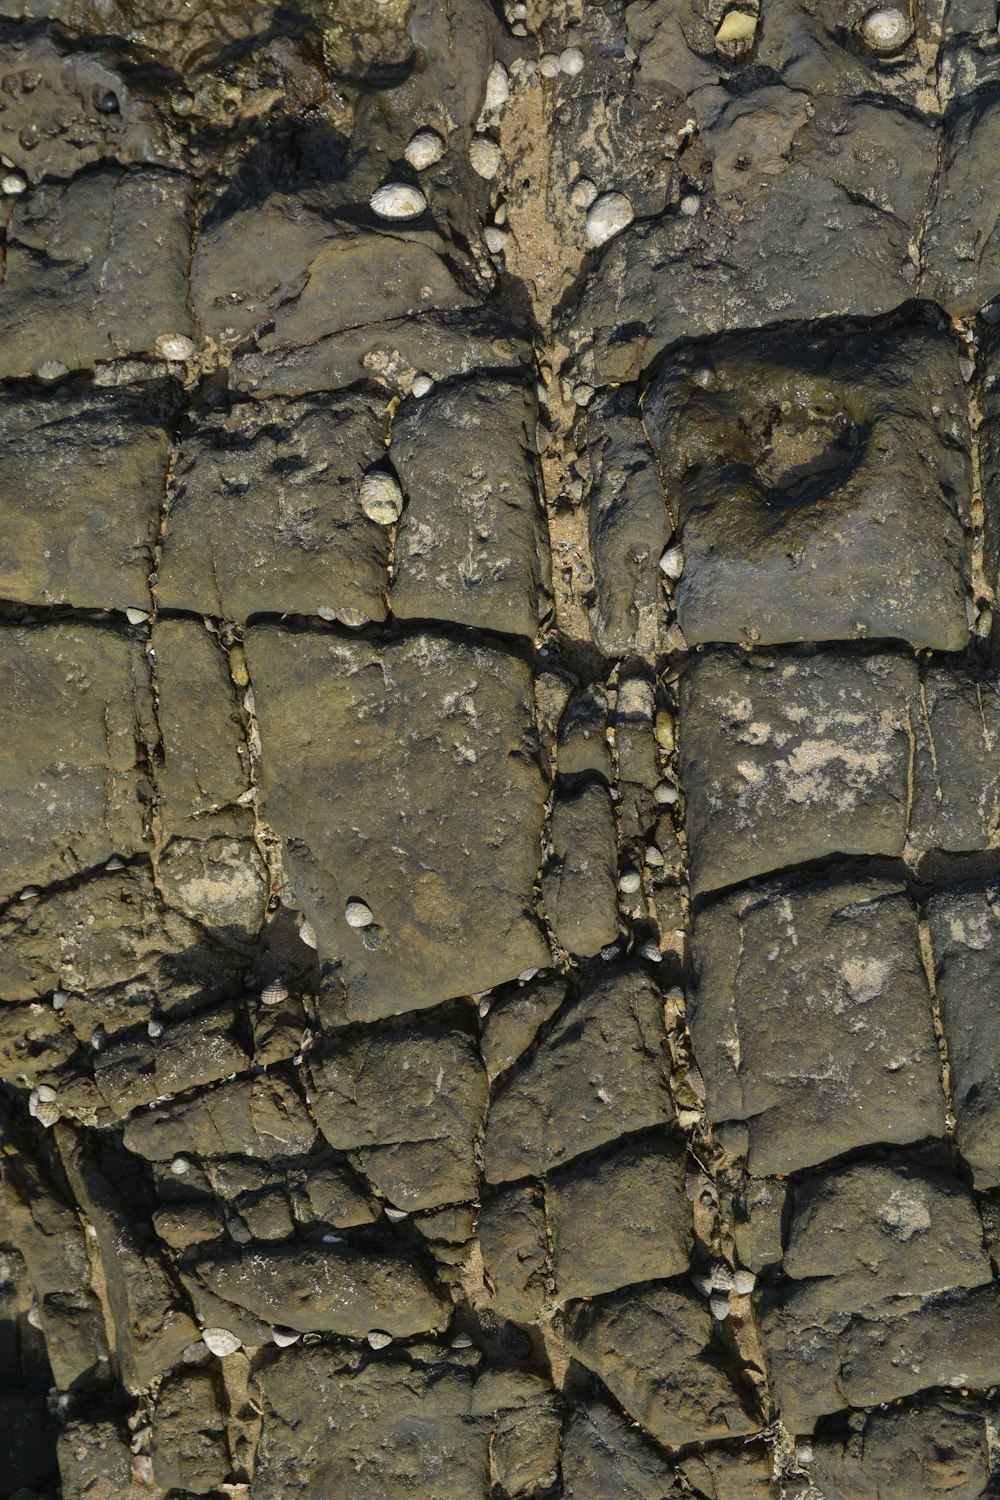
column 819, row 485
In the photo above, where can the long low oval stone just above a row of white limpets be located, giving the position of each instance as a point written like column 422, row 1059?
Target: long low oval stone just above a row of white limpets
column 326, row 1289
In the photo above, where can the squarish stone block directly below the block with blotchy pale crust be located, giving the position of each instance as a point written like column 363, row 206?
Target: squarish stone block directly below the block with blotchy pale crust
column 812, row 1021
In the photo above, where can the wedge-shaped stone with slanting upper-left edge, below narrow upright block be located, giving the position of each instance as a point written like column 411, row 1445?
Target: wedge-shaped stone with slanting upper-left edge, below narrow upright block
column 596, row 1075
